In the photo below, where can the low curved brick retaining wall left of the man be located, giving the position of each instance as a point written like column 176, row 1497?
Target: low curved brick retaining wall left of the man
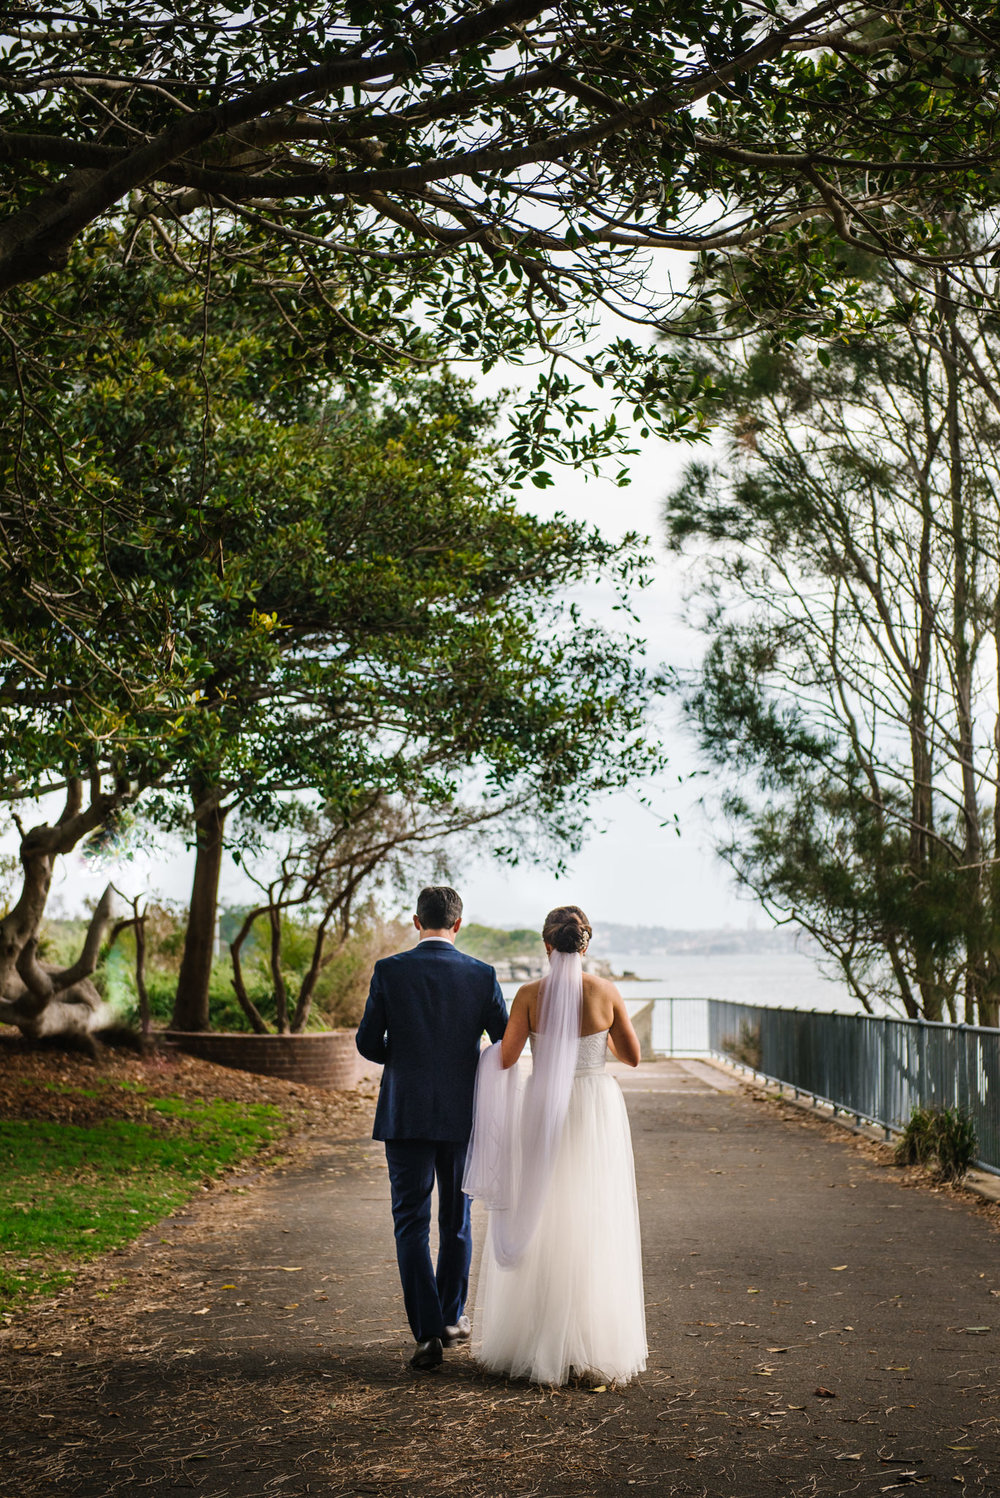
column 321, row 1060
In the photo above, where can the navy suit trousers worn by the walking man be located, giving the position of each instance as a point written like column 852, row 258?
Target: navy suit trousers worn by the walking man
column 433, row 1298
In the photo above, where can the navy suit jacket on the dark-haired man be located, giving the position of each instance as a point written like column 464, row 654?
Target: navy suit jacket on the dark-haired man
column 424, row 1019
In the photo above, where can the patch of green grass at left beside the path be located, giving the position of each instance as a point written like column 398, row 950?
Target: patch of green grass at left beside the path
column 73, row 1192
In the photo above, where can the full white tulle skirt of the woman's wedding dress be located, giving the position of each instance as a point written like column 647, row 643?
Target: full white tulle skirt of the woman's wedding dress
column 574, row 1304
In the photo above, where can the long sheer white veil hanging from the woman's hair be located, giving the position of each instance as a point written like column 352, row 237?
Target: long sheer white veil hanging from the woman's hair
column 517, row 1135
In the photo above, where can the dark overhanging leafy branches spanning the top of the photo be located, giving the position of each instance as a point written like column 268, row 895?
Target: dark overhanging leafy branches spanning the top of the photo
column 510, row 170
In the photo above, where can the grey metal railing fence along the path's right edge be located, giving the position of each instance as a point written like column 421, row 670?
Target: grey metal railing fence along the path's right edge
column 879, row 1070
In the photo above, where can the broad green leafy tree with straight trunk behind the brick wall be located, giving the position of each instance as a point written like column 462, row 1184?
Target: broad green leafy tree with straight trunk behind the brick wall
column 279, row 588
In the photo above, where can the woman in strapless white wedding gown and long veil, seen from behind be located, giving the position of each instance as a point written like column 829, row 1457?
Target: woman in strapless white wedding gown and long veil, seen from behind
column 561, row 1285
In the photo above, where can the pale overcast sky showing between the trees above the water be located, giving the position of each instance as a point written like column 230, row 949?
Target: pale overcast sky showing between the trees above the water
column 632, row 870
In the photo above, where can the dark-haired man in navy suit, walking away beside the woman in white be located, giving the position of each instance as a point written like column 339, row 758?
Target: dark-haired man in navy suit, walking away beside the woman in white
column 424, row 1019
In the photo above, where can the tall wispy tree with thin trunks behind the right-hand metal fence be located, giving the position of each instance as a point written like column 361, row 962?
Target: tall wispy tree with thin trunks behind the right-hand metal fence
column 851, row 595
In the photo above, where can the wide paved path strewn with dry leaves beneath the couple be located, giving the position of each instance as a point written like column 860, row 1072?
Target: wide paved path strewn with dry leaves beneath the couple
column 258, row 1346
